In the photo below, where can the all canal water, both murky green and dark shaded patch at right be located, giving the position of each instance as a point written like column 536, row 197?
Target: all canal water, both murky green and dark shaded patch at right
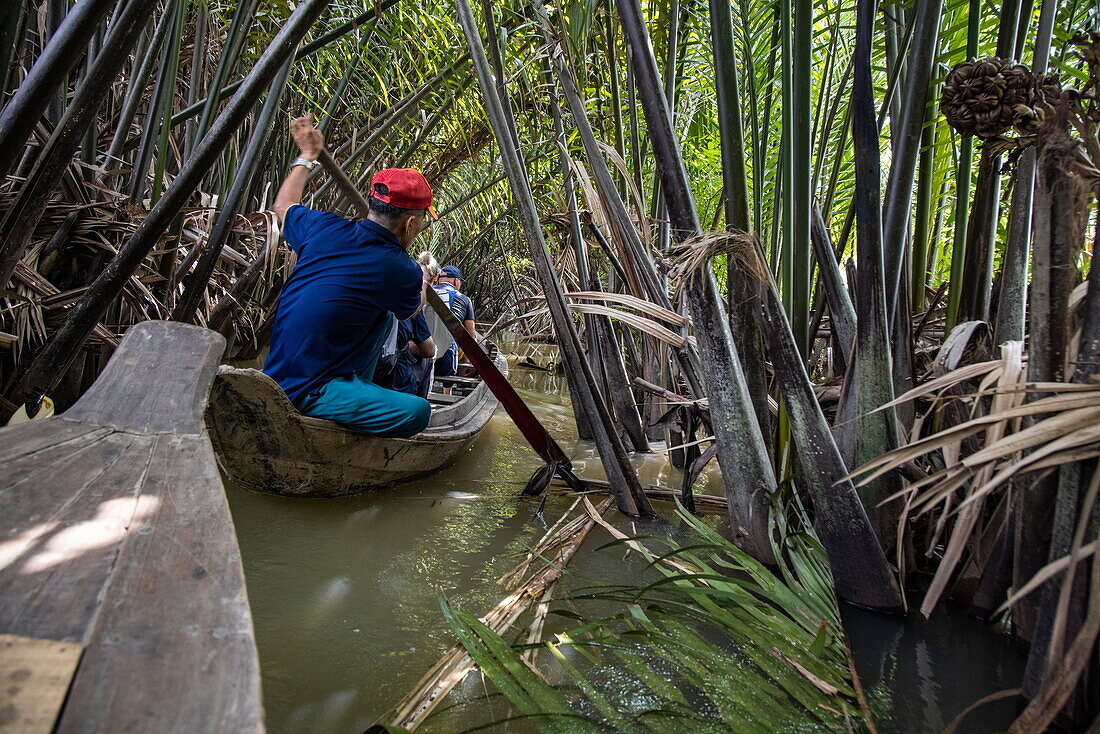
column 345, row 593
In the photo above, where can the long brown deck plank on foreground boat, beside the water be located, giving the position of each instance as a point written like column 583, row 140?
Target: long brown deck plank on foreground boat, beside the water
column 175, row 638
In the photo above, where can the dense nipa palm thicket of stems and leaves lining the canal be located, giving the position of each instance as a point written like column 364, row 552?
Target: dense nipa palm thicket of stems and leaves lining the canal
column 844, row 249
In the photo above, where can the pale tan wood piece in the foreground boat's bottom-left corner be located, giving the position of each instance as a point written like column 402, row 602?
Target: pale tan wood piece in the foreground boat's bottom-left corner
column 35, row 677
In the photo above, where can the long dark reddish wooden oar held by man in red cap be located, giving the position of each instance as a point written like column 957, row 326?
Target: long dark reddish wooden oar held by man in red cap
column 530, row 426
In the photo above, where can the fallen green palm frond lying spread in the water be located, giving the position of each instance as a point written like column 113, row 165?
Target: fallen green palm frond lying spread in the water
column 718, row 643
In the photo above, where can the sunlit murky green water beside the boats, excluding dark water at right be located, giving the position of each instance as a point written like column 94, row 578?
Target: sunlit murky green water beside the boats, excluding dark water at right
column 344, row 593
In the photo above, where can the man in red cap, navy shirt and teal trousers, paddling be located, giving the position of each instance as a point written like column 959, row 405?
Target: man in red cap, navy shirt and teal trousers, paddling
column 351, row 280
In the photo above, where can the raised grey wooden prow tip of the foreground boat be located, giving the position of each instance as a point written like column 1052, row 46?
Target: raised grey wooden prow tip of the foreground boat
column 158, row 381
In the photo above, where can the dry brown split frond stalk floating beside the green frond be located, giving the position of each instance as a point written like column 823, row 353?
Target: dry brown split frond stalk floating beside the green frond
column 554, row 551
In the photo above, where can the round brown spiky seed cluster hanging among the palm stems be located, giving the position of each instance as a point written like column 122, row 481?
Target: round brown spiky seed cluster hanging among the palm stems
column 987, row 97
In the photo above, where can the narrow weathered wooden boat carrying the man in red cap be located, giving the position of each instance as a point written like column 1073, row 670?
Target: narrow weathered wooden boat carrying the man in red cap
column 266, row 445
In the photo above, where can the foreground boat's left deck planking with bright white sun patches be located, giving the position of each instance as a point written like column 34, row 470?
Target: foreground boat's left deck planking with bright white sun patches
column 53, row 585
